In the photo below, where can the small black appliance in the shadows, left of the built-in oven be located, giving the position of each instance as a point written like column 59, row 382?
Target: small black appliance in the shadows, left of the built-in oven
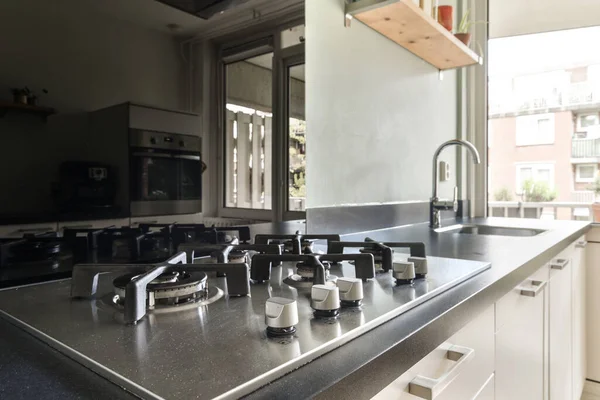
column 85, row 187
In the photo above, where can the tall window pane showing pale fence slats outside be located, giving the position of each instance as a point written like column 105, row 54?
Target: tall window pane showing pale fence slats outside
column 248, row 133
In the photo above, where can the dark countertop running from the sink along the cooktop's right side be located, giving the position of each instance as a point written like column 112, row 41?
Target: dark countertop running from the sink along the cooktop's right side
column 364, row 366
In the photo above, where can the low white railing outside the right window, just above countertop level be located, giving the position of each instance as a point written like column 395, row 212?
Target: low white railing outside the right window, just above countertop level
column 546, row 210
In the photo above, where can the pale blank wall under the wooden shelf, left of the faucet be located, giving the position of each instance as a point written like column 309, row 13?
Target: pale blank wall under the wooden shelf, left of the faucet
column 375, row 114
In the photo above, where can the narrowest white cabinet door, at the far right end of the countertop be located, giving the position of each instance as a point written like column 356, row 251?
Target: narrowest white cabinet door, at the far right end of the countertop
column 579, row 311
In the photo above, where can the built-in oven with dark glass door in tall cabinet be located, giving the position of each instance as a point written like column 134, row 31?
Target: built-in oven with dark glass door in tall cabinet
column 165, row 173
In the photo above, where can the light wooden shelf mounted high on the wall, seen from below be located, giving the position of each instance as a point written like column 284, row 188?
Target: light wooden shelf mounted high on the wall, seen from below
column 405, row 23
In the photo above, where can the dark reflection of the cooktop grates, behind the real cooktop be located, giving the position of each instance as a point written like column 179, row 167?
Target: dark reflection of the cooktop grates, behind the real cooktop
column 48, row 256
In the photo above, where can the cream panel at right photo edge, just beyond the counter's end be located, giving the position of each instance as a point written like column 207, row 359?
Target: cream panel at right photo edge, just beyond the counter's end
column 592, row 313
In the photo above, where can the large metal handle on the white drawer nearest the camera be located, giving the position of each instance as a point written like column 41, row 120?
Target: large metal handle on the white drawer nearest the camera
column 429, row 388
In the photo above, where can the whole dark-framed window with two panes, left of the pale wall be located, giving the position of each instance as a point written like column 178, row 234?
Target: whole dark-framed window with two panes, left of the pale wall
column 263, row 135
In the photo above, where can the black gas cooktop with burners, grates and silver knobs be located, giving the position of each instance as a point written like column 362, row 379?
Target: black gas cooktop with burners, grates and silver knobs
column 195, row 334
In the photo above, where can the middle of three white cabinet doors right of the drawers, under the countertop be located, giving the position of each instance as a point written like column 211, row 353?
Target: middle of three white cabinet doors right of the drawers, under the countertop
column 560, row 325
